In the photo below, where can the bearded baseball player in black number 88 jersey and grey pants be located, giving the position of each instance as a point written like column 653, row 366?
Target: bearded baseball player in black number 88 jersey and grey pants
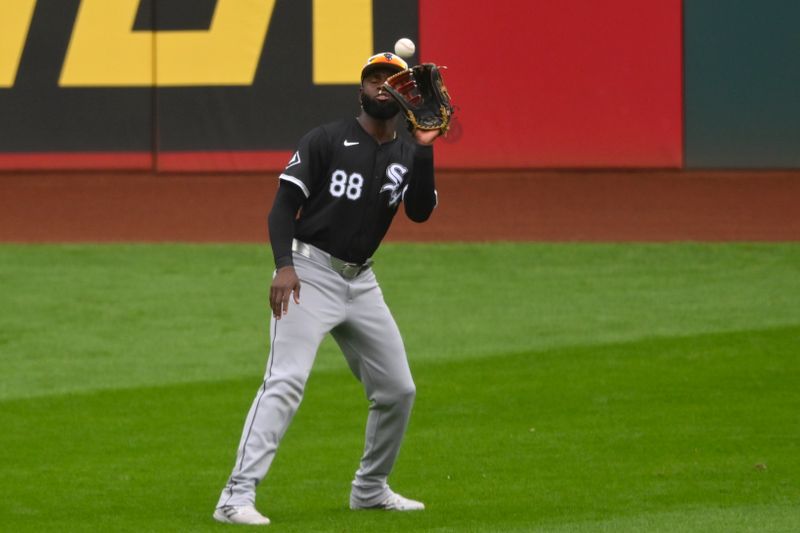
column 346, row 180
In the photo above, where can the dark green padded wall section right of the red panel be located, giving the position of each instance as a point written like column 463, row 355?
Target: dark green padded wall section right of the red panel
column 742, row 83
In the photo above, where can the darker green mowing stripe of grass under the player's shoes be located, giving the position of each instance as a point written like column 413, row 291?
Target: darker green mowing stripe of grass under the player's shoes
column 688, row 433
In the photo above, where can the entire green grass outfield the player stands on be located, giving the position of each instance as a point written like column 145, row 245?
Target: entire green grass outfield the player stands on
column 564, row 387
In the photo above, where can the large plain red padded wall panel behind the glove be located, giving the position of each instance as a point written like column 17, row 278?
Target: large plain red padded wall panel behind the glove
column 573, row 83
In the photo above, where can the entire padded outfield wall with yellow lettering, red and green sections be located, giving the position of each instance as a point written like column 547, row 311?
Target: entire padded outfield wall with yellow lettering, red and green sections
column 230, row 85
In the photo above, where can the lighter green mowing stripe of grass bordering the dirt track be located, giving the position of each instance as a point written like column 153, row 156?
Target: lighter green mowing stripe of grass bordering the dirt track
column 80, row 318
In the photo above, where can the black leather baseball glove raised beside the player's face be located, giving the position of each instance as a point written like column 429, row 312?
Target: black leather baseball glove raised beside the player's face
column 421, row 93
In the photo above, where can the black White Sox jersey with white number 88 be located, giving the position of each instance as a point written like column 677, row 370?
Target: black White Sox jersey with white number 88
column 353, row 187
